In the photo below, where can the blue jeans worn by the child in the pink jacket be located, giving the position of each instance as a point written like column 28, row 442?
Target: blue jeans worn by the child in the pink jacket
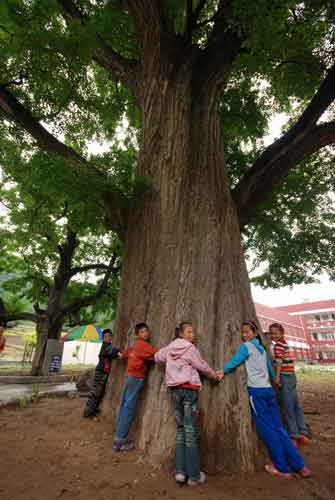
column 185, row 402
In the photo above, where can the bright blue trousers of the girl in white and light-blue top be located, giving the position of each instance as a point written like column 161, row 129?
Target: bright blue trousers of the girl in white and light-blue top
column 265, row 412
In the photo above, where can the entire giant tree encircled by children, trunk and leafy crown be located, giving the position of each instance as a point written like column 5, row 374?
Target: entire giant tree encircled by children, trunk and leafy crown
column 197, row 81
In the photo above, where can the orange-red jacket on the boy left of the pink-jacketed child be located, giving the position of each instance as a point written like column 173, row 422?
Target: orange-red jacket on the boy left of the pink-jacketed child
column 138, row 355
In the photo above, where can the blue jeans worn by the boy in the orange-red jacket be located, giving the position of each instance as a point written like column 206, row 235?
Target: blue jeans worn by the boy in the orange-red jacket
column 127, row 412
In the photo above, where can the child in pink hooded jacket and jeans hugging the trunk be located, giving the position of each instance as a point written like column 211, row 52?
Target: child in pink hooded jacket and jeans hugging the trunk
column 183, row 362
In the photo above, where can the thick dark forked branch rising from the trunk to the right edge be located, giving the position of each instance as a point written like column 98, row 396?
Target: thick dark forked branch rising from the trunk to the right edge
column 275, row 163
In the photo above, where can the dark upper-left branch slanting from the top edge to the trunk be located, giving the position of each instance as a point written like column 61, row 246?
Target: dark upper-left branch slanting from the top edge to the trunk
column 123, row 69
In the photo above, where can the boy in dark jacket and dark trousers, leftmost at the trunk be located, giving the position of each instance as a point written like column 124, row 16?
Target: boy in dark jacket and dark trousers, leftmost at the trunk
column 107, row 353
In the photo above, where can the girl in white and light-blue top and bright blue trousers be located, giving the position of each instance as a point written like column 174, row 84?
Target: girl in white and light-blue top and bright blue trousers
column 264, row 409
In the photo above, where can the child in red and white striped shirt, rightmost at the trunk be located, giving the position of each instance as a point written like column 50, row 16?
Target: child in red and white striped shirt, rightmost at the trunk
column 287, row 383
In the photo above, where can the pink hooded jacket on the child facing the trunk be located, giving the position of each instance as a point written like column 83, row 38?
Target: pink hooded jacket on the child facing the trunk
column 183, row 361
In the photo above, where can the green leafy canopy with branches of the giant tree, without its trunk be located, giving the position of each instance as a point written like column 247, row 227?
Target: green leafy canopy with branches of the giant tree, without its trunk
column 68, row 80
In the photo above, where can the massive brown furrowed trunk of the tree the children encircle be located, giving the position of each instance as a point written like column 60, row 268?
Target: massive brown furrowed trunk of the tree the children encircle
column 184, row 261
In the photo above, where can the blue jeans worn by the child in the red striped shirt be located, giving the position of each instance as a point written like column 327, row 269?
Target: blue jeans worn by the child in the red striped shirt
column 293, row 414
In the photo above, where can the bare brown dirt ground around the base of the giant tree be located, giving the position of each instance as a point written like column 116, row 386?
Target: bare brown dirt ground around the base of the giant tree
column 48, row 451
